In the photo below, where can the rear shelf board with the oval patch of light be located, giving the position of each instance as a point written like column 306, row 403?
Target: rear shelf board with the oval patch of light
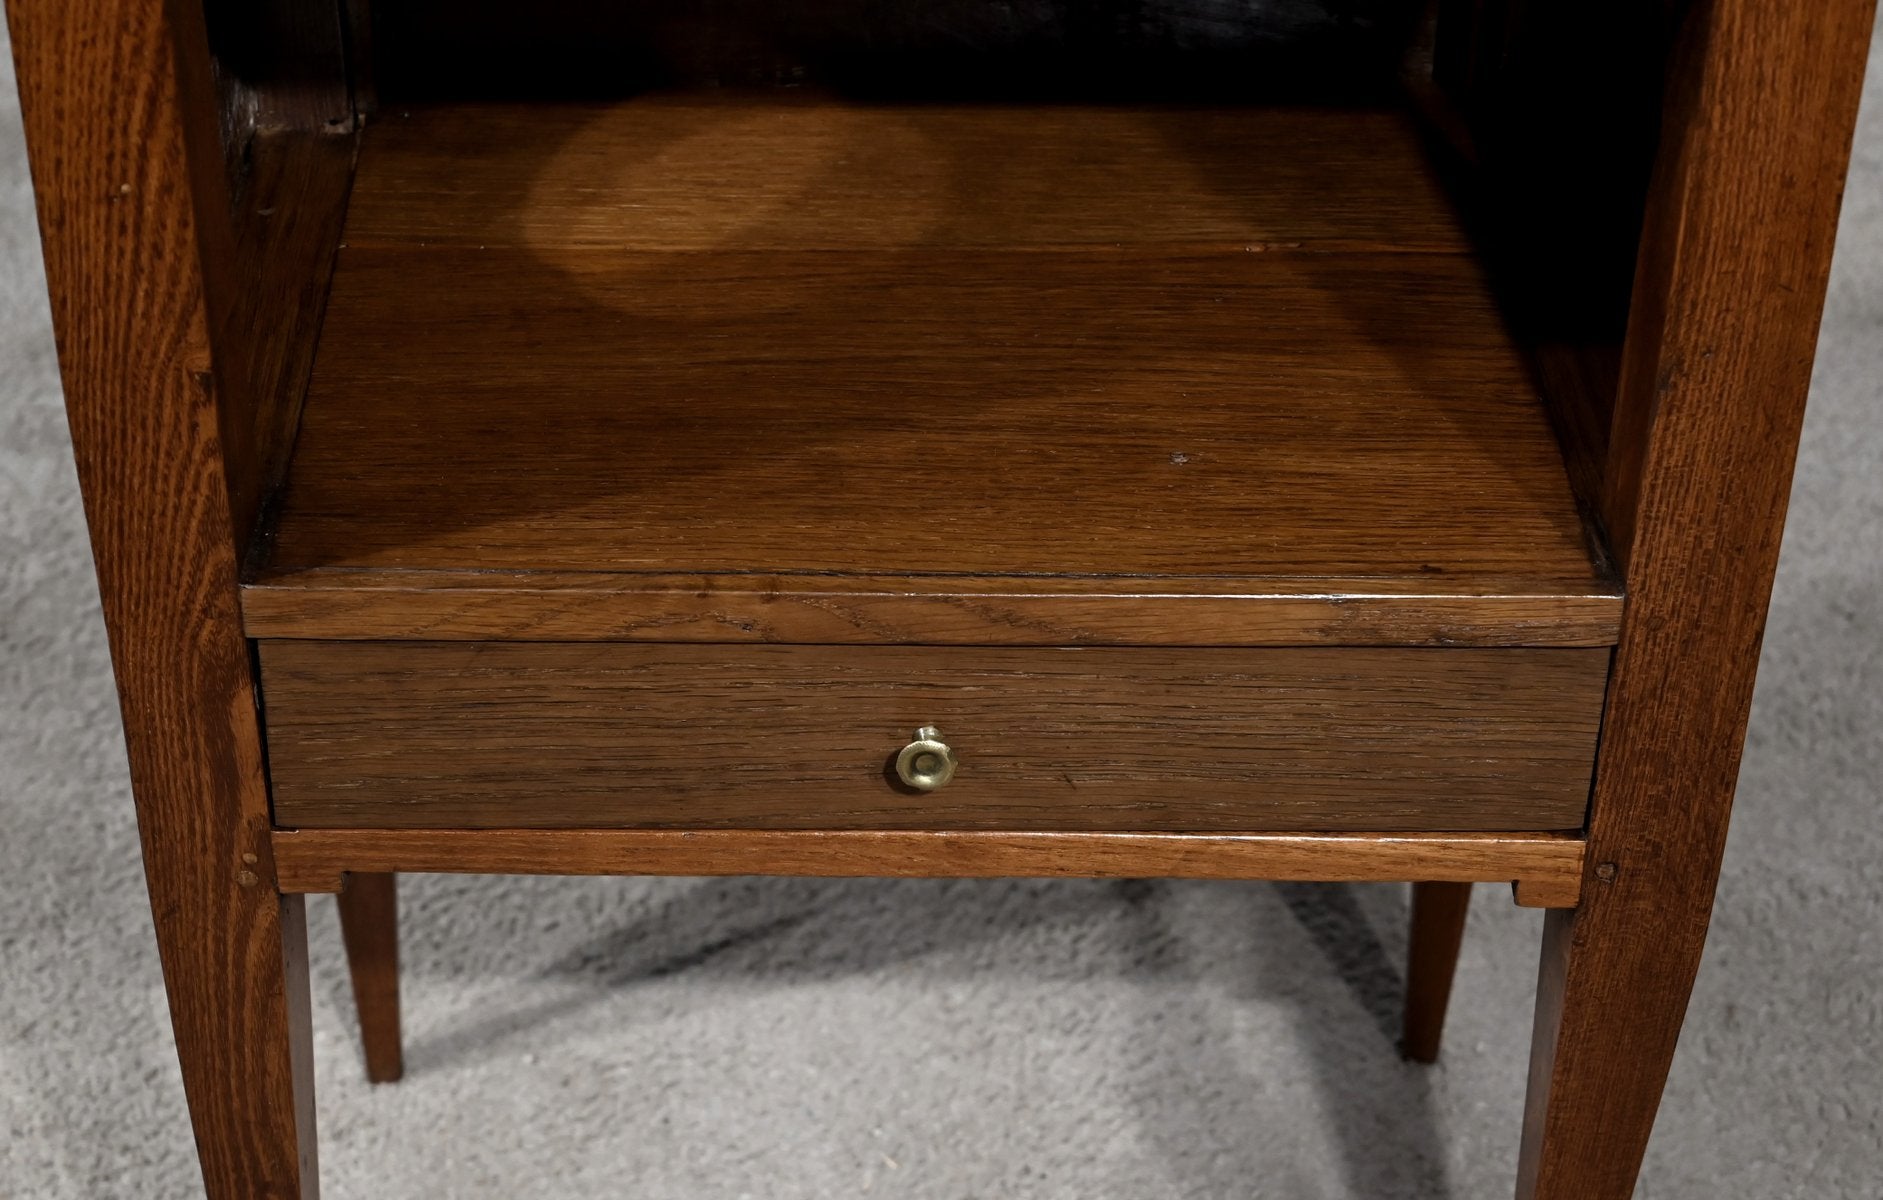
column 797, row 172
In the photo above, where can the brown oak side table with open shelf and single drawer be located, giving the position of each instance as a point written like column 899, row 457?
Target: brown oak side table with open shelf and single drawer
column 769, row 438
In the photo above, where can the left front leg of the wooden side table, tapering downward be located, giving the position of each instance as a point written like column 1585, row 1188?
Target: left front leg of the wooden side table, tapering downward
column 112, row 95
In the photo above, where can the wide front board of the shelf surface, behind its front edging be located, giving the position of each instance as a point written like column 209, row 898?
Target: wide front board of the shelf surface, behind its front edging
column 948, row 414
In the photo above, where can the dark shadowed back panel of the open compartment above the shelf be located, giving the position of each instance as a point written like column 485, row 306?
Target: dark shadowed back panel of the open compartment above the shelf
column 931, row 50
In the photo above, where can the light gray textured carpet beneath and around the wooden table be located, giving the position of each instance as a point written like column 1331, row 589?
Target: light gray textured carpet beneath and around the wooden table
column 775, row 1039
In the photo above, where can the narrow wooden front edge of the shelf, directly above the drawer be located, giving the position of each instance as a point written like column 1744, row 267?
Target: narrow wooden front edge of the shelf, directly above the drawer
column 1037, row 611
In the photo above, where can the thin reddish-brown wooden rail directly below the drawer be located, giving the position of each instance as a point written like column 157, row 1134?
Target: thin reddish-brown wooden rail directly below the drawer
column 1547, row 868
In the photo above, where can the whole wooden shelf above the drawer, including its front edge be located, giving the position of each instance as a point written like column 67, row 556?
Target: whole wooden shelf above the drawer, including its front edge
column 799, row 370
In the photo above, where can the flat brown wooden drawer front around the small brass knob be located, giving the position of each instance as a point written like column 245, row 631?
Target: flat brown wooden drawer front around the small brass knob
column 466, row 736
